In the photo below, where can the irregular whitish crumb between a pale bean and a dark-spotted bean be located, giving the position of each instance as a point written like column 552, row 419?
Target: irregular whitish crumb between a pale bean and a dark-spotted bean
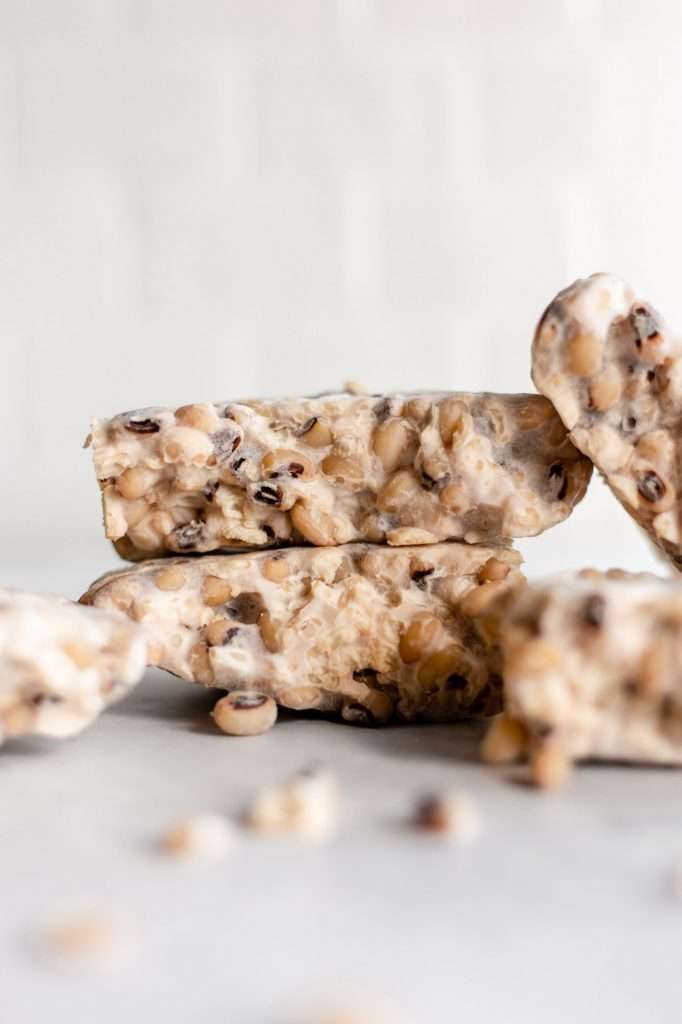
column 308, row 806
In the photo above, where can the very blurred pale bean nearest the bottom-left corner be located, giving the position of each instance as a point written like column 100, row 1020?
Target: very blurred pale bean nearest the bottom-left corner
column 90, row 942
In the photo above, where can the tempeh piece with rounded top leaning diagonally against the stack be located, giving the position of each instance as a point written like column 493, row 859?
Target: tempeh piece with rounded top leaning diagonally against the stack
column 613, row 370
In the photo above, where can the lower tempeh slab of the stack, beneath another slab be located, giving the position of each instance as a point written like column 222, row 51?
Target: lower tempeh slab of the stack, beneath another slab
column 374, row 633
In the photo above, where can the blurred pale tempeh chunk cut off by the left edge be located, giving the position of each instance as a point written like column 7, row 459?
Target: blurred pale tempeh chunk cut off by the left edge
column 62, row 664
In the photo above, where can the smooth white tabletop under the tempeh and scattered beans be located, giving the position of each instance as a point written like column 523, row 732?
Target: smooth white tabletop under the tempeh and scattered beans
column 563, row 911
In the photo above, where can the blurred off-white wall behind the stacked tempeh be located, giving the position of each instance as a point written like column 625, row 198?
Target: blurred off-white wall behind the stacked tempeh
column 210, row 199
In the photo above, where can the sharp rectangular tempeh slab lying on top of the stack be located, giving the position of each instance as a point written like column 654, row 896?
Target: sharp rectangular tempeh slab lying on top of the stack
column 335, row 470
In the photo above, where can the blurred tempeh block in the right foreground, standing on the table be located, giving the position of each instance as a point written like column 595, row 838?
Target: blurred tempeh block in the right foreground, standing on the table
column 593, row 669
